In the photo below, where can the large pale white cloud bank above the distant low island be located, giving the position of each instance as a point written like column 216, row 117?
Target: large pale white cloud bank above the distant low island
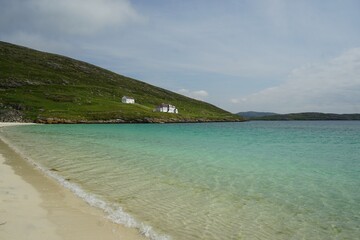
column 332, row 86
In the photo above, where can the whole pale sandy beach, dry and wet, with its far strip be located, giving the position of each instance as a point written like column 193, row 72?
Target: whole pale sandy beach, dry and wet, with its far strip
column 34, row 206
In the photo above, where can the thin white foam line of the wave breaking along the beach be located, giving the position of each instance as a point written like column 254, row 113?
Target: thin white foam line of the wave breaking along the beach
column 114, row 212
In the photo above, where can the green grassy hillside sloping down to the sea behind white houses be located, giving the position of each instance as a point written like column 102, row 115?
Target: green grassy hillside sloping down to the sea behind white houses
column 44, row 87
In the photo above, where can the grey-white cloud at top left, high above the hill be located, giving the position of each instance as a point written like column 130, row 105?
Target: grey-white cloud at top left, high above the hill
column 74, row 17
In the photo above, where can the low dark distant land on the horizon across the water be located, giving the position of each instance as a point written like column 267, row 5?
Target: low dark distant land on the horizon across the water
column 305, row 116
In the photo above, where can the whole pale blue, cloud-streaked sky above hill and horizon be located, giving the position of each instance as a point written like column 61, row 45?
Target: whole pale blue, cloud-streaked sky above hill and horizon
column 279, row 56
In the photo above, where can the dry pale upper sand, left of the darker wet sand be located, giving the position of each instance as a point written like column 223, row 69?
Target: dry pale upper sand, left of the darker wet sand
column 20, row 213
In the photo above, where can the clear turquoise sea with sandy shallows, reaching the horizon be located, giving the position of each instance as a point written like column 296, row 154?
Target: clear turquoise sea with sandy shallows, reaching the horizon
column 253, row 180
